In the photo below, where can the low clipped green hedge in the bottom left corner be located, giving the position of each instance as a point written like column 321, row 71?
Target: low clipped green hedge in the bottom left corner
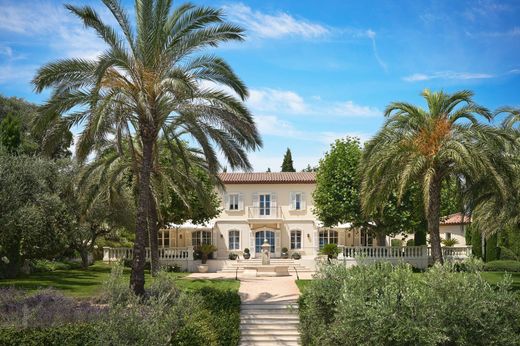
column 69, row 334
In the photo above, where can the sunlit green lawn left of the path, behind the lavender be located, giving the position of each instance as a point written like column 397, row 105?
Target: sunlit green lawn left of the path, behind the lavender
column 80, row 283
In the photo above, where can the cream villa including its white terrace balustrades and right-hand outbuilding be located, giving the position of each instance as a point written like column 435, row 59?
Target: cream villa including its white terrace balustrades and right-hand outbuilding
column 279, row 207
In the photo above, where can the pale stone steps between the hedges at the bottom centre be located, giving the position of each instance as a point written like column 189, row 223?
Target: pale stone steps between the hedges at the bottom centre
column 269, row 324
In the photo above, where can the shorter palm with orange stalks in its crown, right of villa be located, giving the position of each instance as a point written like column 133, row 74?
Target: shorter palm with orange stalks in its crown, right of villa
column 428, row 146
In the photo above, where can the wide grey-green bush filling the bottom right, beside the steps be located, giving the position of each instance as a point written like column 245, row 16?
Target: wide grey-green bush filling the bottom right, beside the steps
column 339, row 304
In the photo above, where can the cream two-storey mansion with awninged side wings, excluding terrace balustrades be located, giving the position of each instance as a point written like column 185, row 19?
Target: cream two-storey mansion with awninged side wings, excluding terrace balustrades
column 257, row 206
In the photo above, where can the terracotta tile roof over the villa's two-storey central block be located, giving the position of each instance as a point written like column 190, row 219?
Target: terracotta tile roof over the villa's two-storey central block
column 269, row 178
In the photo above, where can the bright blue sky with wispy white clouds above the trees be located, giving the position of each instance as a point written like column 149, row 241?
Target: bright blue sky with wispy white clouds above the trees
column 316, row 70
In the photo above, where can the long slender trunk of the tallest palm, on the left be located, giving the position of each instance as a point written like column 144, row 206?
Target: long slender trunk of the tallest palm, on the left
column 141, row 228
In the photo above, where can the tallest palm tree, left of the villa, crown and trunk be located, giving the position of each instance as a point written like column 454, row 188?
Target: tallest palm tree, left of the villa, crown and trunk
column 151, row 80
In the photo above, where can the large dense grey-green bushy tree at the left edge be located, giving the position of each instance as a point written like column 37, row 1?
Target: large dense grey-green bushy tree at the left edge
column 33, row 214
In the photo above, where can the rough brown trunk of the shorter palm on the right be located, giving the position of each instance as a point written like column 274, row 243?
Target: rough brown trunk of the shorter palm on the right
column 433, row 218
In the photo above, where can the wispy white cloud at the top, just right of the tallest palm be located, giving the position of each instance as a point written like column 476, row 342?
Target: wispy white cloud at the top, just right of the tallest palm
column 274, row 25
